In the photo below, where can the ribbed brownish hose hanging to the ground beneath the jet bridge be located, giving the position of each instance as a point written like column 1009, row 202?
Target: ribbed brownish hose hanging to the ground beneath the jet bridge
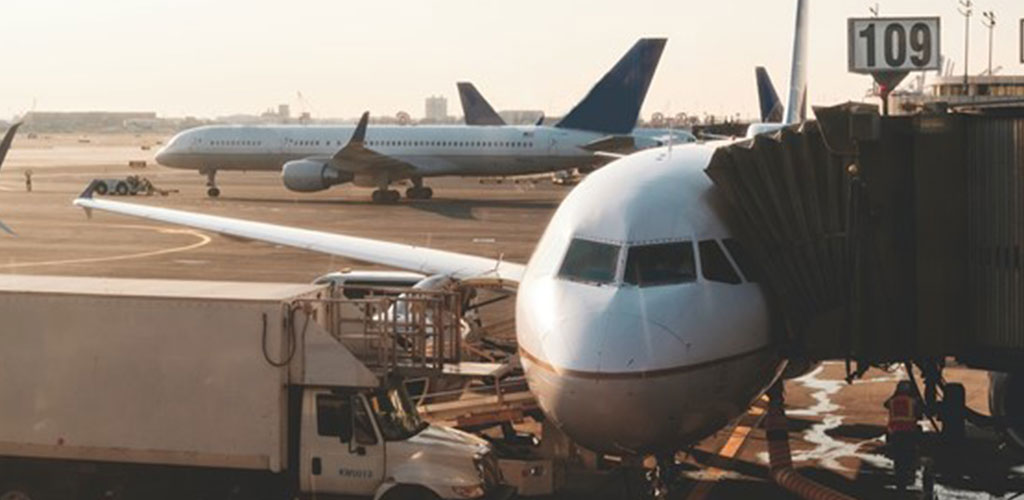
column 781, row 461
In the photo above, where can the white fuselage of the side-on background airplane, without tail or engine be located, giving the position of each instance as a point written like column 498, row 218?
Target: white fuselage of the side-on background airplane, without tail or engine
column 433, row 151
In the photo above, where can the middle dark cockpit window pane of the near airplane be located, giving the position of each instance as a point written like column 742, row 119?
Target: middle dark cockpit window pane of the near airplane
column 663, row 264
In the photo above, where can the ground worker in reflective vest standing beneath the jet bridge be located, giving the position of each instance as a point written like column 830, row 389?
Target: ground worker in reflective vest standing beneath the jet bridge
column 903, row 431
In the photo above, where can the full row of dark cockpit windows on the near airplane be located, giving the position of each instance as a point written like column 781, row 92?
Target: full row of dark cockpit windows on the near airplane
column 657, row 265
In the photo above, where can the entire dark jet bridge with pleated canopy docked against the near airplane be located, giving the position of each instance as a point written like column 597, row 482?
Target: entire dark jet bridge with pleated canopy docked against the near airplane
column 888, row 238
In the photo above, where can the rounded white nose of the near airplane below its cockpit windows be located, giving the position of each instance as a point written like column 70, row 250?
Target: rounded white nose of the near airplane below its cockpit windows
column 641, row 370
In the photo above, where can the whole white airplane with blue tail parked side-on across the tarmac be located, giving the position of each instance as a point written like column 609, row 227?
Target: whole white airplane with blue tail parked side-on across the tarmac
column 315, row 158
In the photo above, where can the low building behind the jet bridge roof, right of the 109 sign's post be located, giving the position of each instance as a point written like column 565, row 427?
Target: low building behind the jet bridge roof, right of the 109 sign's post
column 997, row 91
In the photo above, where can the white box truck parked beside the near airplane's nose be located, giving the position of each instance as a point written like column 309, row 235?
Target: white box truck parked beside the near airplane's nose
column 151, row 389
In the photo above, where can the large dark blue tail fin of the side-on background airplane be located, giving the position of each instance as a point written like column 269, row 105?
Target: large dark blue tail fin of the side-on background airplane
column 614, row 105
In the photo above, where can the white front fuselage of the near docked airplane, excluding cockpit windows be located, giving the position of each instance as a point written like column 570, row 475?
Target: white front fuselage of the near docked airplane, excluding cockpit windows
column 632, row 369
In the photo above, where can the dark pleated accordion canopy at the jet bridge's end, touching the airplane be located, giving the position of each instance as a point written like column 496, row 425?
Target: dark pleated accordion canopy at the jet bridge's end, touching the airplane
column 792, row 199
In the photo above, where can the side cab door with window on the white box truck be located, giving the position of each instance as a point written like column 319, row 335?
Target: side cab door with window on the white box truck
column 344, row 453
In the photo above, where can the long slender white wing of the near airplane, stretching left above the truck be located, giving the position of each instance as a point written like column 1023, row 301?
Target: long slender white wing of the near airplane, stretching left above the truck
column 411, row 258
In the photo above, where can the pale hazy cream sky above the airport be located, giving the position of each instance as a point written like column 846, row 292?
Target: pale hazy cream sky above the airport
column 210, row 58
